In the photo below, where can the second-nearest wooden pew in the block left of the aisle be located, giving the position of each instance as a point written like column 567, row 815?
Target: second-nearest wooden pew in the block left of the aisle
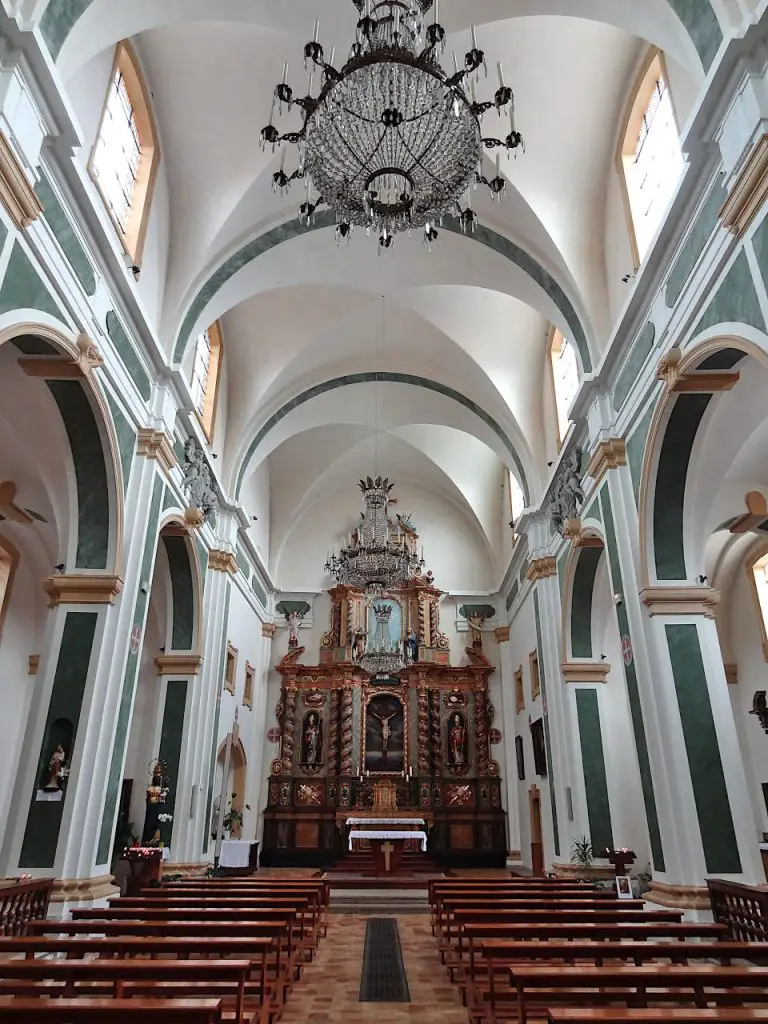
column 122, row 979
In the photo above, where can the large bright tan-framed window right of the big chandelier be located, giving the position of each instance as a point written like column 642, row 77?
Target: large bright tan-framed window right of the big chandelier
column 650, row 158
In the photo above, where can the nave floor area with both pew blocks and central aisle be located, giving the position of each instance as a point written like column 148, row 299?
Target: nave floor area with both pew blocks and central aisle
column 495, row 947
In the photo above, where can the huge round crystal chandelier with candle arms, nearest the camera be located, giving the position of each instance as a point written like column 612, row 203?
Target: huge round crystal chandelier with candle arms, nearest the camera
column 392, row 142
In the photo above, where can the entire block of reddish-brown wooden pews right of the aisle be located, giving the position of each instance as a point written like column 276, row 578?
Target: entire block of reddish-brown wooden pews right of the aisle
column 572, row 954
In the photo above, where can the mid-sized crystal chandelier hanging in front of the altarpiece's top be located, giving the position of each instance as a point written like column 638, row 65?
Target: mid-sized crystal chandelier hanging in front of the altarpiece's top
column 375, row 559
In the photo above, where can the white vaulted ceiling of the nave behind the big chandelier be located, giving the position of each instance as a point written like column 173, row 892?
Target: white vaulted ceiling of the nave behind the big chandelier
column 306, row 313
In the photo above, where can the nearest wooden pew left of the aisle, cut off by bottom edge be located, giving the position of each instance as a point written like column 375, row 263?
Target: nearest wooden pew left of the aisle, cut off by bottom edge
column 14, row 1011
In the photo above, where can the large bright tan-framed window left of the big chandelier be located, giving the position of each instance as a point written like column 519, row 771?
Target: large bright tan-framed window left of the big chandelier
column 125, row 158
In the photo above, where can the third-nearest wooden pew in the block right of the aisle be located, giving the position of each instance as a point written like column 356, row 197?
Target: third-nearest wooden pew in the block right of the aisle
column 486, row 985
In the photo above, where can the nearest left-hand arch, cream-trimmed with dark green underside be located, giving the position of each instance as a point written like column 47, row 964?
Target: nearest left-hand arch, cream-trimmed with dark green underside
column 98, row 542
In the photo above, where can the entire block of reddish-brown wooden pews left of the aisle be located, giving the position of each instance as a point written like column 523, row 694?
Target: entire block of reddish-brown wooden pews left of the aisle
column 197, row 952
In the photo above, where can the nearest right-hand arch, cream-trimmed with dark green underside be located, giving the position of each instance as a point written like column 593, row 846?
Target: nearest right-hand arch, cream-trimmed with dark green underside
column 673, row 431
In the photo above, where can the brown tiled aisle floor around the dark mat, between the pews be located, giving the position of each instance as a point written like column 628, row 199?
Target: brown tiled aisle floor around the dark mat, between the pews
column 329, row 988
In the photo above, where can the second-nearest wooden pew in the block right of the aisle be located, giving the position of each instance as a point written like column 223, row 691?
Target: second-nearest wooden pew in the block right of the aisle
column 542, row 987
